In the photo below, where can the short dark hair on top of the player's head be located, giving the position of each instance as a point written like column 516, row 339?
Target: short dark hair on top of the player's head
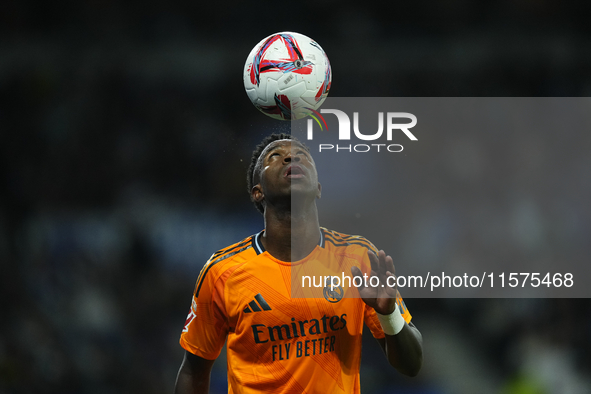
column 271, row 142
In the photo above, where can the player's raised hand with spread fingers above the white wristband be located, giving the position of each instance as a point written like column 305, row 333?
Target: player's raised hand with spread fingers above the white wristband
column 382, row 297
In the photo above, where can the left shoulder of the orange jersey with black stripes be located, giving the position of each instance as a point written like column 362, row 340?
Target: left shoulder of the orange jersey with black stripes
column 223, row 262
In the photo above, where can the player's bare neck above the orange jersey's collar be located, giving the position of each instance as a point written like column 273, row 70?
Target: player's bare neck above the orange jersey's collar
column 292, row 234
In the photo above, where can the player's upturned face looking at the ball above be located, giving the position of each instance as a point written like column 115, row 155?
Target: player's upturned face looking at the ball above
column 286, row 170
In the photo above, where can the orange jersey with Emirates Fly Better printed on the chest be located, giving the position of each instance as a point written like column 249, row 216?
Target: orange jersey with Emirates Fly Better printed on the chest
column 278, row 343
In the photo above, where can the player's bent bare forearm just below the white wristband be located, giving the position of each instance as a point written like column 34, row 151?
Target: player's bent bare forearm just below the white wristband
column 405, row 350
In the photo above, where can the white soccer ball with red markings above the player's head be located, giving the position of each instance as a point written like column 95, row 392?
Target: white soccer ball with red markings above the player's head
column 287, row 76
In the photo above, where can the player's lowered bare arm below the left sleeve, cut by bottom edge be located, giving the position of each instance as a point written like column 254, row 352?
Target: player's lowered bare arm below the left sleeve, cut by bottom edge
column 193, row 376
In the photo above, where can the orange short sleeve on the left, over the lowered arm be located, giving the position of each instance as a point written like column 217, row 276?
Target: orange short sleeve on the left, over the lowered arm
column 206, row 327
